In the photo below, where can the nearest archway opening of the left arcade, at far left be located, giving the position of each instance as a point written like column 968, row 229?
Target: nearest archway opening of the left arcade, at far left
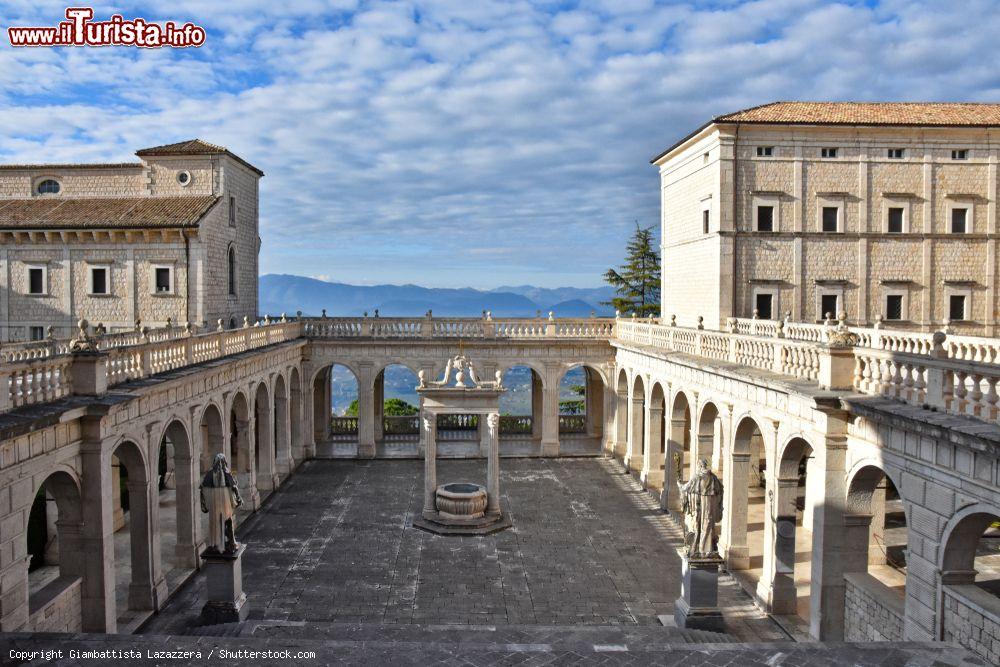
column 55, row 567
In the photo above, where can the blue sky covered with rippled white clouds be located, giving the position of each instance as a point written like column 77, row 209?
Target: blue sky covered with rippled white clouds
column 453, row 143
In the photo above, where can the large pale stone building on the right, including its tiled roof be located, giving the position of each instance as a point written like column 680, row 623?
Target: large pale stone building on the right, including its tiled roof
column 878, row 210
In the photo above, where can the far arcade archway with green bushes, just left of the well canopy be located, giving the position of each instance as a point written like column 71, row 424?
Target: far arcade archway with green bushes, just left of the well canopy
column 397, row 407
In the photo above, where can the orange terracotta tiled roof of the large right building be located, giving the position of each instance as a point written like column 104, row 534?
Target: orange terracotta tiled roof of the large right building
column 959, row 114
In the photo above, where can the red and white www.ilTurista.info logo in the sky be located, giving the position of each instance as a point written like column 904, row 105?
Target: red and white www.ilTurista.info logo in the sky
column 80, row 30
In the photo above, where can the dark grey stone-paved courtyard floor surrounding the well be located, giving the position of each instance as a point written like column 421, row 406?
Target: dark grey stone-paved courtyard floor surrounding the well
column 335, row 545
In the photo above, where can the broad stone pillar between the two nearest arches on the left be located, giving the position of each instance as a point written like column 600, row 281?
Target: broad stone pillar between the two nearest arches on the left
column 97, row 544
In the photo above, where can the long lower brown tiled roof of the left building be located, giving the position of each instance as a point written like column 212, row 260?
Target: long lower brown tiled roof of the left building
column 99, row 213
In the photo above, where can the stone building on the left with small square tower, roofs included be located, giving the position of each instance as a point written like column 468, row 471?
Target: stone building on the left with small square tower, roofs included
column 172, row 236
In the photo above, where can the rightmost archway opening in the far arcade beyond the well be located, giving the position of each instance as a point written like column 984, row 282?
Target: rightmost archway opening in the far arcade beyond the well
column 581, row 410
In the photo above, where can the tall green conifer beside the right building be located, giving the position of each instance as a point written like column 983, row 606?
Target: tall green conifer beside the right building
column 637, row 282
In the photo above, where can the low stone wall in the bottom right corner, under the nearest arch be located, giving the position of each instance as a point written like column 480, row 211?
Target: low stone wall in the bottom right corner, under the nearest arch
column 972, row 619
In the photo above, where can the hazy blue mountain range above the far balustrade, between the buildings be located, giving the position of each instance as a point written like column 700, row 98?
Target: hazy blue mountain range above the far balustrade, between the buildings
column 282, row 293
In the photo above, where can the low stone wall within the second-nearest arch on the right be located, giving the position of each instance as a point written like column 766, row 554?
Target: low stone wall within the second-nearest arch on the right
column 872, row 611
